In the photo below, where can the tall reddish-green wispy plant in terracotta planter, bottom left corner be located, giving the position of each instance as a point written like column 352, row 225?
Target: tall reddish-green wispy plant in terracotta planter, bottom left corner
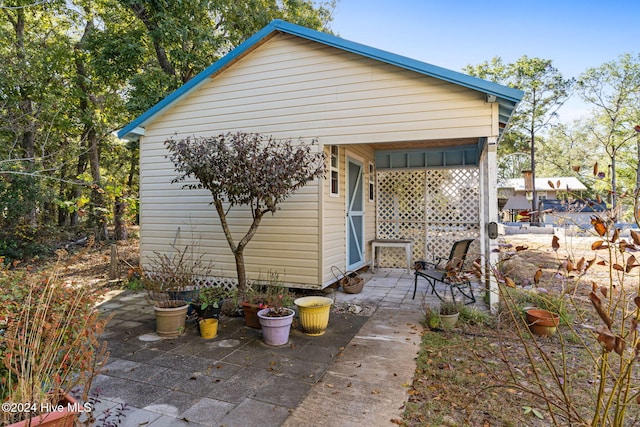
column 48, row 346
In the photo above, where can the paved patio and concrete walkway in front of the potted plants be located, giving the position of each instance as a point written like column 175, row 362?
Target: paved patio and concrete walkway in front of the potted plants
column 356, row 373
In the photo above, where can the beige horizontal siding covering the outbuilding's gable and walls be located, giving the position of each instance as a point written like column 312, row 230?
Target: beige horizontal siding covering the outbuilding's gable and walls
column 293, row 88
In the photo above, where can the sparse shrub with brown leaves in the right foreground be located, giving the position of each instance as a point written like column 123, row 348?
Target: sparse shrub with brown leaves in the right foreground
column 608, row 335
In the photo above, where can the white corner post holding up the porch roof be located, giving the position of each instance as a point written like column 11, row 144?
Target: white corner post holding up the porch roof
column 489, row 213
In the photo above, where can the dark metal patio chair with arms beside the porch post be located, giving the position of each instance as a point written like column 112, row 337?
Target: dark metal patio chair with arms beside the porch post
column 449, row 273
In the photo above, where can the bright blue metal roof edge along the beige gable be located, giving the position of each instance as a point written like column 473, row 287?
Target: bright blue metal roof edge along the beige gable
column 506, row 97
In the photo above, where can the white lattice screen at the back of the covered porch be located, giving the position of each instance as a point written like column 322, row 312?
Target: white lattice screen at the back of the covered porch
column 433, row 207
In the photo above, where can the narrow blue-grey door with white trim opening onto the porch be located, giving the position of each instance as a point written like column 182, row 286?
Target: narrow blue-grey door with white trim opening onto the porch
column 355, row 215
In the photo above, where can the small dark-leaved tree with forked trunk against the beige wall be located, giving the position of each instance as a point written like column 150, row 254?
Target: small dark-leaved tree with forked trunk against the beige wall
column 248, row 169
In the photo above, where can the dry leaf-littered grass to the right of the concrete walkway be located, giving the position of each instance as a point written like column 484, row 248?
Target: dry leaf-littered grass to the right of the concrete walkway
column 479, row 374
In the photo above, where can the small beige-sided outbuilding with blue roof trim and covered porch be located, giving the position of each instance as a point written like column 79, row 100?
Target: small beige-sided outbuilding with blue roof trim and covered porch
column 411, row 151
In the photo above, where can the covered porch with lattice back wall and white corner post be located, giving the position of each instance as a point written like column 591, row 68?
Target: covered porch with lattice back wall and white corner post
column 424, row 197
